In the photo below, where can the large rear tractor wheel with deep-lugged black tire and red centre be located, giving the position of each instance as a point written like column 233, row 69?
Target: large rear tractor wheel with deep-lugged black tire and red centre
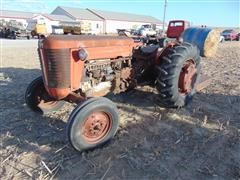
column 178, row 74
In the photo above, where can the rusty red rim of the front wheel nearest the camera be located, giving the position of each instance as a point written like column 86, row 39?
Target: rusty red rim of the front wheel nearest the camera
column 96, row 126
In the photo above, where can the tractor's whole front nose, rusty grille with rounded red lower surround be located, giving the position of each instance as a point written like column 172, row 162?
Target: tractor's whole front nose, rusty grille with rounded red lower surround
column 56, row 71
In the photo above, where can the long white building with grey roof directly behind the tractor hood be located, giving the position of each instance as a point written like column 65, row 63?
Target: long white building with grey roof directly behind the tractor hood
column 107, row 21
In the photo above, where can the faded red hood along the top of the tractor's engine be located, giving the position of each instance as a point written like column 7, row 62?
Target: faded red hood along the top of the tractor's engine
column 97, row 47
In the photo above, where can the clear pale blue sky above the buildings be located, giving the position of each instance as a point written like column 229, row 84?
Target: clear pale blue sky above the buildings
column 224, row 13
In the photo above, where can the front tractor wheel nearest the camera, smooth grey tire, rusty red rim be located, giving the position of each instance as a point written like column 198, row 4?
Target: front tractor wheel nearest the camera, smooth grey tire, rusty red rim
column 92, row 123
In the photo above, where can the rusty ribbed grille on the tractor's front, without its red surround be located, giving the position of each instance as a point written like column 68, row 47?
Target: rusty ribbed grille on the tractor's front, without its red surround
column 57, row 64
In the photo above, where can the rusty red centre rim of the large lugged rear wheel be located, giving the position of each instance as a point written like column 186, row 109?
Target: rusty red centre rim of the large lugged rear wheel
column 187, row 78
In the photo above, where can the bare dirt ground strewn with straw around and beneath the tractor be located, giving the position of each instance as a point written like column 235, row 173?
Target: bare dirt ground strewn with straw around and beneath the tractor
column 200, row 141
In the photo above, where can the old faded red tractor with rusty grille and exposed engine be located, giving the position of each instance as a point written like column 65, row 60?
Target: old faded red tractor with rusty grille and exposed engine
column 82, row 69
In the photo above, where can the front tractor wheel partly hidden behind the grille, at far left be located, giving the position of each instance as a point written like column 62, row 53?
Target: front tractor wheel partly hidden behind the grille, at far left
column 38, row 100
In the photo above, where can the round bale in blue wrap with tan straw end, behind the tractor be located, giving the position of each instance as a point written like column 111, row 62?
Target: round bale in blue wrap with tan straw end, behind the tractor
column 204, row 38
